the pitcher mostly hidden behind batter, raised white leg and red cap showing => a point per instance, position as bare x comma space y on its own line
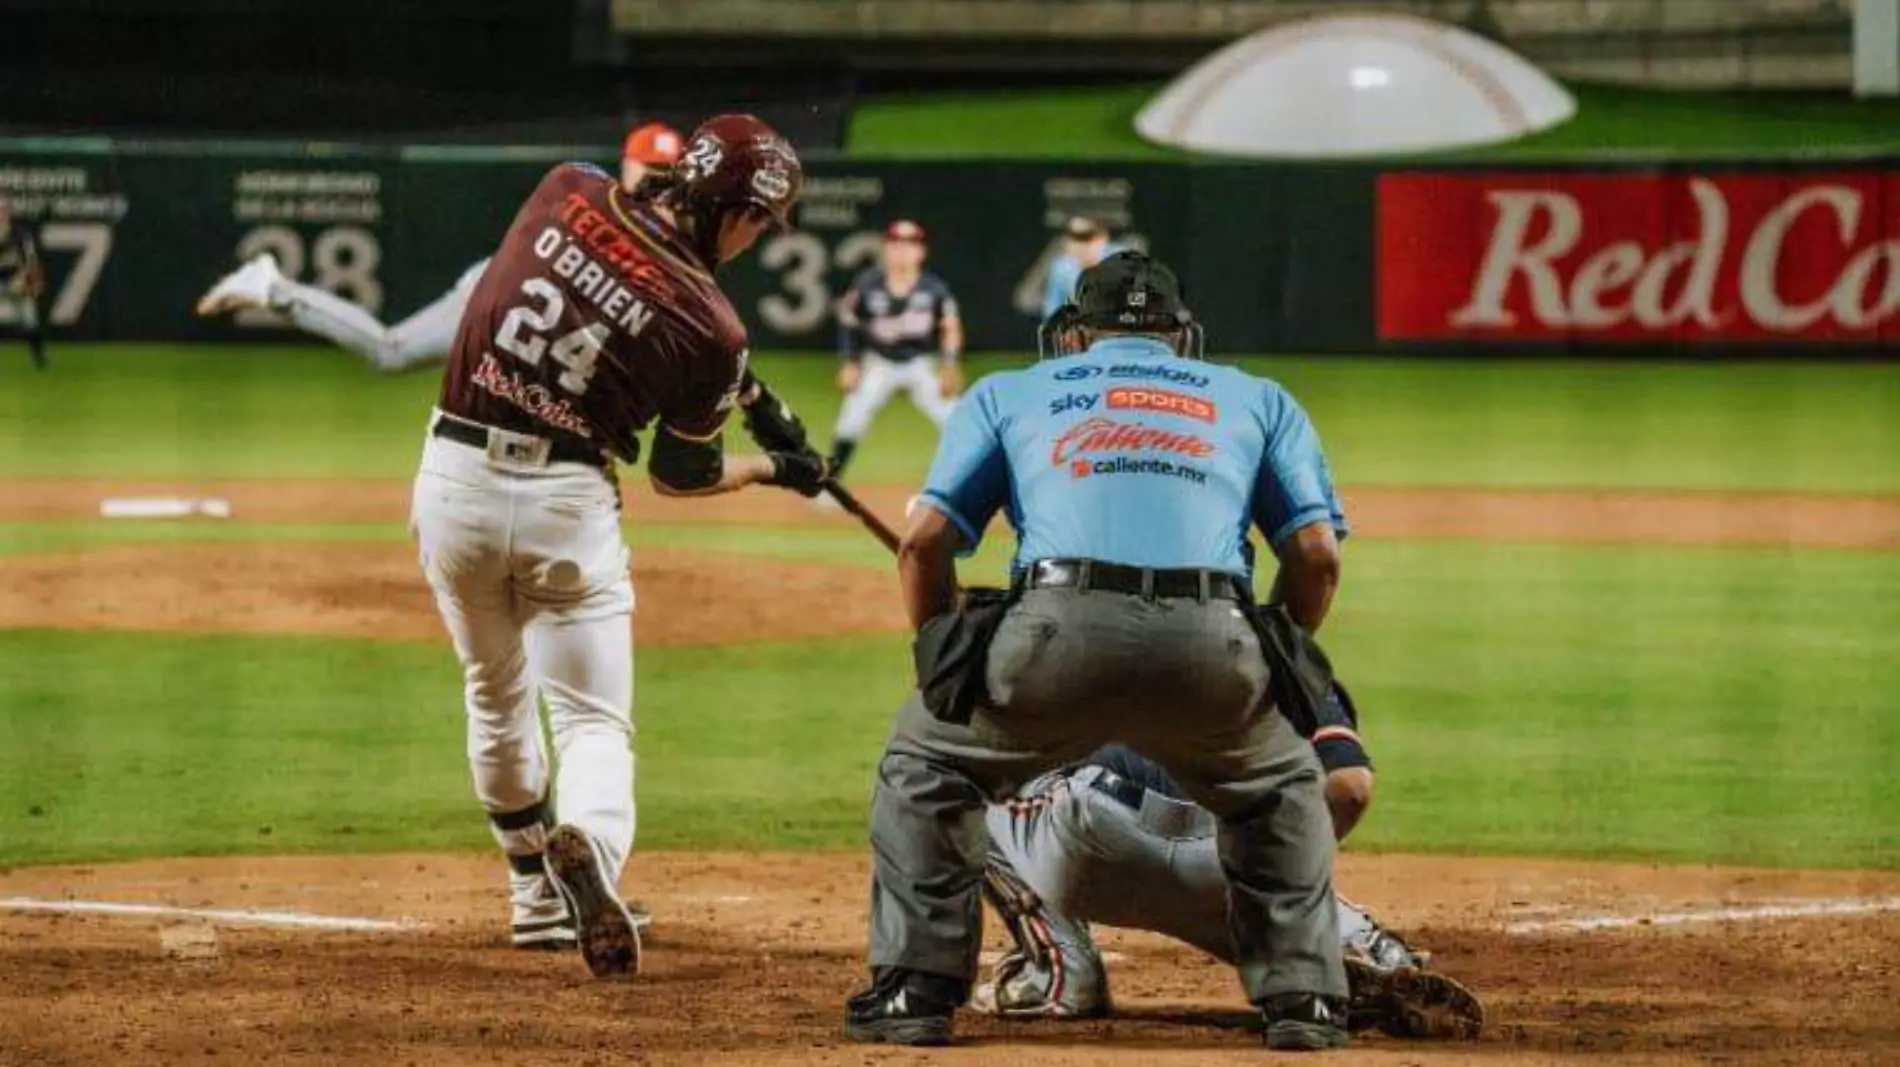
423, 337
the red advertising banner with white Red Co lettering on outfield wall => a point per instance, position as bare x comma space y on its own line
1717, 257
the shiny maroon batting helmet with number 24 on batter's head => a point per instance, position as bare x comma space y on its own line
738, 160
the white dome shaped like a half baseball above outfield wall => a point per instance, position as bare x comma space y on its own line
1354, 86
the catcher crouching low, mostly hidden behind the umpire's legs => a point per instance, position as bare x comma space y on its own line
1116, 842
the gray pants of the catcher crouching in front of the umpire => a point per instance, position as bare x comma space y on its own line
1093, 859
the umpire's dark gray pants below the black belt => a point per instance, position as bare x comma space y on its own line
1181, 683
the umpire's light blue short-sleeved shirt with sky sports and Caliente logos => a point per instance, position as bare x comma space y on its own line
1133, 457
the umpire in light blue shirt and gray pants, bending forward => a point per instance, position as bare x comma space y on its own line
1131, 477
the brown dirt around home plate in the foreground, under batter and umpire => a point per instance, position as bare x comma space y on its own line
753, 956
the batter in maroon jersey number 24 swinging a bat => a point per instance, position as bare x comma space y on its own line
598, 318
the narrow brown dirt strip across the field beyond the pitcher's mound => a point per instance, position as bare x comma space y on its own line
1489, 515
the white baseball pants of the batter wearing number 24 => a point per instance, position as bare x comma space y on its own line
531, 578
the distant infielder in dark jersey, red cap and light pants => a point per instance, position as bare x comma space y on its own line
898, 331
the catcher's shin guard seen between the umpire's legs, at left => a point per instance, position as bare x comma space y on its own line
1055, 969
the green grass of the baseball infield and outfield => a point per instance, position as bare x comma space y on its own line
1532, 700
